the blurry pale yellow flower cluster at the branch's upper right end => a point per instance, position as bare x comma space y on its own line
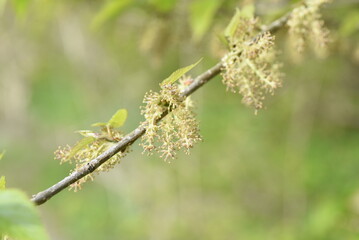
307, 28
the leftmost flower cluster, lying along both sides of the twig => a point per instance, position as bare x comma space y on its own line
87, 149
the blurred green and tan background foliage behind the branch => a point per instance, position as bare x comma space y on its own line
290, 172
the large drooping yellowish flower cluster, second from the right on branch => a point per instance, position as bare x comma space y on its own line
250, 67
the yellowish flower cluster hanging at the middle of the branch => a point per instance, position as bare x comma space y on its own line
178, 130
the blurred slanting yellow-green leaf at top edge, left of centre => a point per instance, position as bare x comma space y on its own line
111, 10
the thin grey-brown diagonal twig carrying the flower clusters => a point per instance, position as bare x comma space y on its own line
130, 138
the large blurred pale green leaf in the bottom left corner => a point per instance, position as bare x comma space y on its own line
18, 217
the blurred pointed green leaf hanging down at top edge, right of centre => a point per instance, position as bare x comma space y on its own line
201, 16
